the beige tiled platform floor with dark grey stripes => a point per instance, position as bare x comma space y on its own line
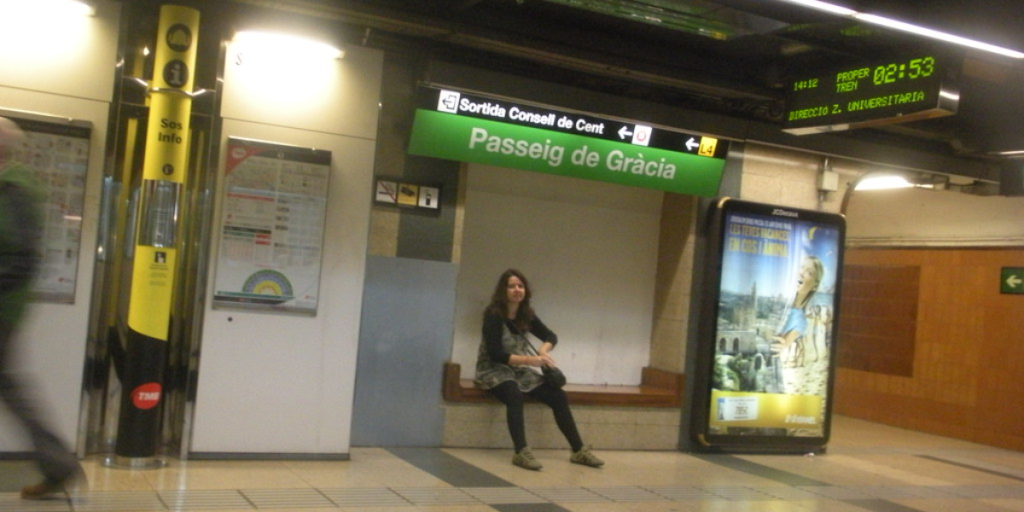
868, 467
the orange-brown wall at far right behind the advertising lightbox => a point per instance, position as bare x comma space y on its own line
968, 347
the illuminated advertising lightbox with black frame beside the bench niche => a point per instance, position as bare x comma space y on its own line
770, 348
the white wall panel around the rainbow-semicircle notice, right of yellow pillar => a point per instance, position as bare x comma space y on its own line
272, 383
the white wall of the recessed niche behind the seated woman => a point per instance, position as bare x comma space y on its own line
590, 252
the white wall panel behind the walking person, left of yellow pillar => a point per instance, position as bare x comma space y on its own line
61, 67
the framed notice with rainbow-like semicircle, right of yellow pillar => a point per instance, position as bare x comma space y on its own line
272, 233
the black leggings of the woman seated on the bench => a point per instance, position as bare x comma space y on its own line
556, 399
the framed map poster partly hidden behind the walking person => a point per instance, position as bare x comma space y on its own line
58, 151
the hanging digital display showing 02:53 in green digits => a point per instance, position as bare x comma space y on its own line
890, 92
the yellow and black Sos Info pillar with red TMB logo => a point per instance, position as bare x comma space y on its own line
164, 169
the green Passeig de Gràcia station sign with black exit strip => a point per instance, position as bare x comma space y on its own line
457, 126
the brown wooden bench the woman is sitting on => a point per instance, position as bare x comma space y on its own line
658, 390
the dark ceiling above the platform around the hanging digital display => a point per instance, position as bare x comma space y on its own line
730, 59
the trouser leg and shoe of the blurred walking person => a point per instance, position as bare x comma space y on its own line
56, 462
